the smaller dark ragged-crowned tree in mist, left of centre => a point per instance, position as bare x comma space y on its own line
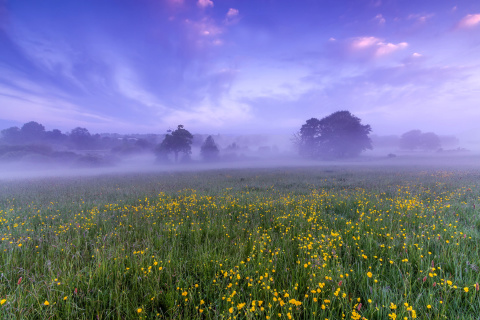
176, 142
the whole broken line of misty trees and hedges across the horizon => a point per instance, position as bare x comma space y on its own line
336, 136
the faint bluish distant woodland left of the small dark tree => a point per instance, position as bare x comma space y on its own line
32, 144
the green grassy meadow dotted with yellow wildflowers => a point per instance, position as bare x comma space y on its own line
291, 243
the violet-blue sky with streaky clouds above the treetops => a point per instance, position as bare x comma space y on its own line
240, 66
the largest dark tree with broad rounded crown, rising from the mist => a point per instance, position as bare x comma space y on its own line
339, 135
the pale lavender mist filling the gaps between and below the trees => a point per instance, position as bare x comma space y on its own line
250, 152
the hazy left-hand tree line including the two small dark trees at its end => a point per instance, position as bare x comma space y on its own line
33, 143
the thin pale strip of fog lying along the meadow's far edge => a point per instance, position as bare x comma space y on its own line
147, 163
